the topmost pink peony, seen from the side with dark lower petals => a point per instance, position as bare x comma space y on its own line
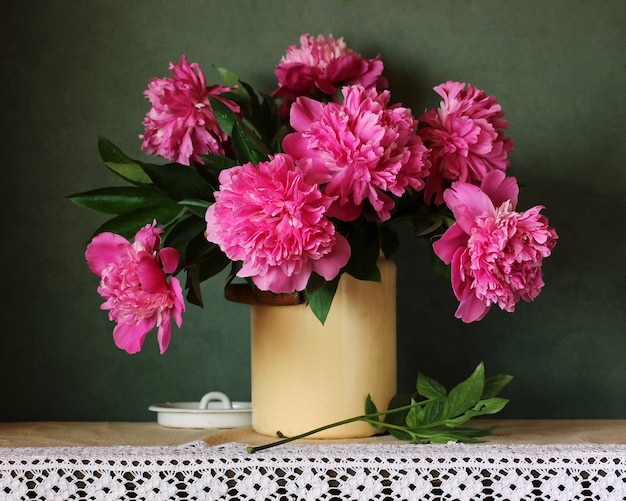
324, 64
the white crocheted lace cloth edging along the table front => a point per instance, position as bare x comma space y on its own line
197, 471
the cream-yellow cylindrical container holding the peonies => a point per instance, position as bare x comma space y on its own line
306, 375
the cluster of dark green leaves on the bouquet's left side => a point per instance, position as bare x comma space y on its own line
176, 195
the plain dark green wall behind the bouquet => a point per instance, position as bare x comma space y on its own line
73, 70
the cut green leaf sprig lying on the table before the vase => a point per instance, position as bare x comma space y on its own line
436, 418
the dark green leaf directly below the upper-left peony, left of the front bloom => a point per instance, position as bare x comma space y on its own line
179, 182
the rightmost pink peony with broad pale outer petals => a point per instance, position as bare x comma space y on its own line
496, 253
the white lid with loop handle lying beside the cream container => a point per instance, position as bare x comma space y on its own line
215, 410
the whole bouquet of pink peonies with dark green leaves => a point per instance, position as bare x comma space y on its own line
293, 188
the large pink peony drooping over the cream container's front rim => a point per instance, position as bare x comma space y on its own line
273, 218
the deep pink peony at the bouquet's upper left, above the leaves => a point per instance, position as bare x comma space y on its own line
181, 124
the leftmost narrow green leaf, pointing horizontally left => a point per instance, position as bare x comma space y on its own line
119, 199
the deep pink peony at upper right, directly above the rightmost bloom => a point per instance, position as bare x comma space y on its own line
465, 136
